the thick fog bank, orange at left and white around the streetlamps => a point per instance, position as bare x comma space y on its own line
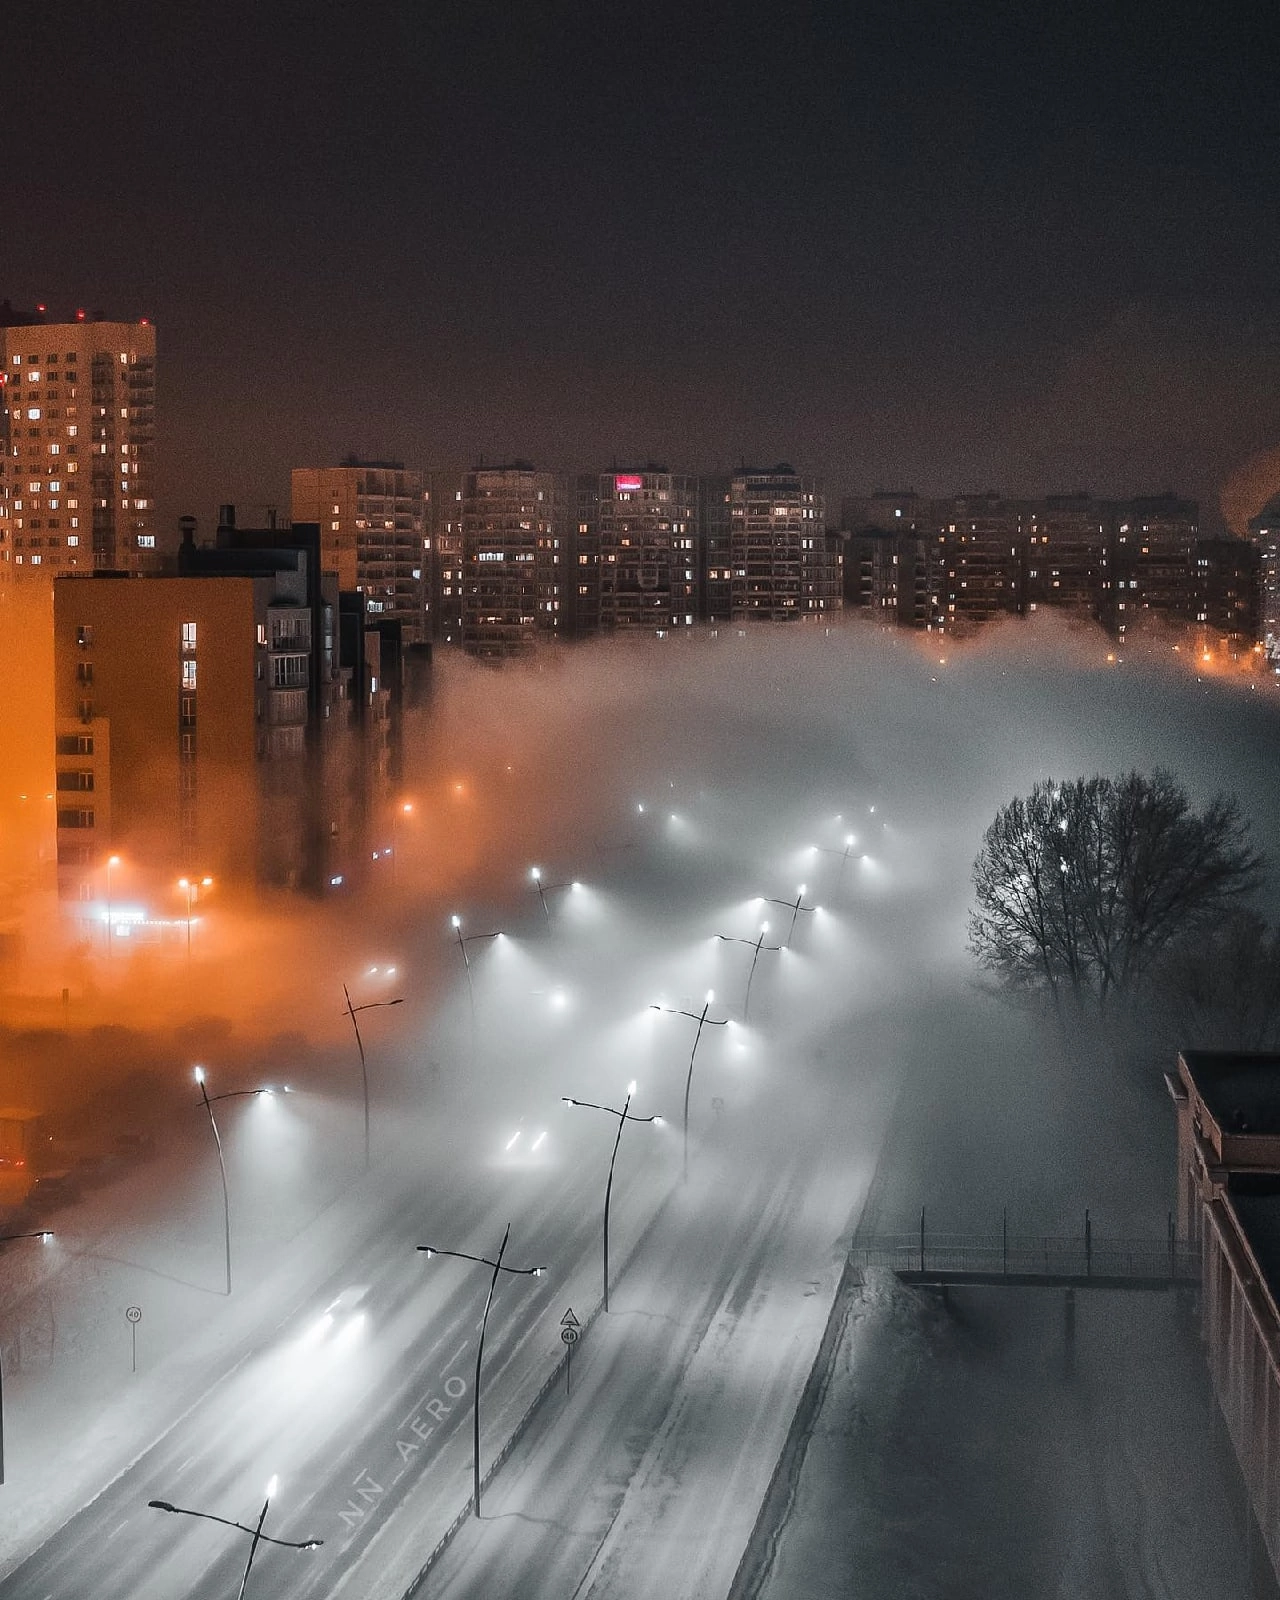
670, 791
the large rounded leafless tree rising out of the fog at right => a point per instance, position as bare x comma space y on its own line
1082, 886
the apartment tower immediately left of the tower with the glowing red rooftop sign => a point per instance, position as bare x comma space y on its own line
518, 551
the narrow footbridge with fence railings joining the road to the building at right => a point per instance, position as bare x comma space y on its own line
1033, 1262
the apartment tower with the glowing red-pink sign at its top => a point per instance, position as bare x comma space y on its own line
649, 534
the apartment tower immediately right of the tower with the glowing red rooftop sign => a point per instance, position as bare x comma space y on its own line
783, 567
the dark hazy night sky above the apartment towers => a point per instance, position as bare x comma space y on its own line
1034, 249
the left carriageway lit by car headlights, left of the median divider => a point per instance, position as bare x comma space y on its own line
380, 1404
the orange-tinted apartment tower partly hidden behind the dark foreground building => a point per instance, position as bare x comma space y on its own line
372, 530
